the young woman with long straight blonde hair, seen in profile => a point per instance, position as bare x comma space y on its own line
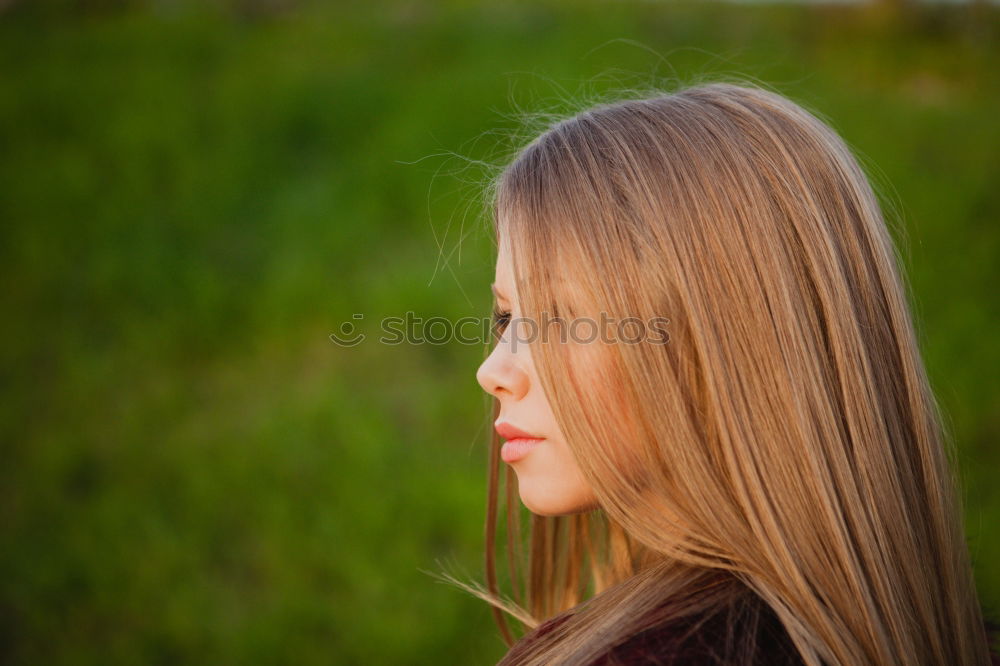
713, 400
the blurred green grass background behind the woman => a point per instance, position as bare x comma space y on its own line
192, 201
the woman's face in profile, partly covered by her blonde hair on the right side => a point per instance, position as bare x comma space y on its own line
549, 480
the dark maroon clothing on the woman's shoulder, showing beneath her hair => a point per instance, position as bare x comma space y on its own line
754, 637
